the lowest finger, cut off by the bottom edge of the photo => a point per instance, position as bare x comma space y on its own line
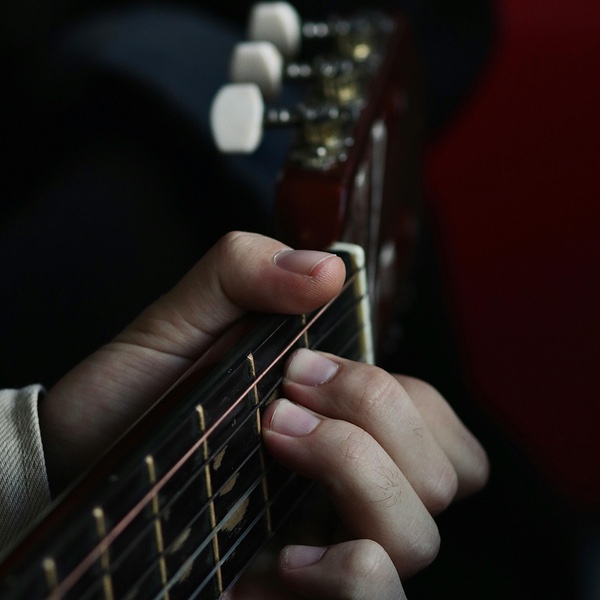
357, 570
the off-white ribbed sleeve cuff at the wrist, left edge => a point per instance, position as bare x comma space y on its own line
24, 490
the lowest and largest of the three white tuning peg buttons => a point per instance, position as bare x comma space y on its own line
236, 118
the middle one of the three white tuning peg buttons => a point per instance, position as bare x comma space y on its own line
260, 63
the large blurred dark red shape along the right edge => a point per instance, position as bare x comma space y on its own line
514, 191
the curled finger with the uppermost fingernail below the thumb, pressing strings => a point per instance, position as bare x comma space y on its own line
376, 402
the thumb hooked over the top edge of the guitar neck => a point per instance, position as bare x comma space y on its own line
95, 402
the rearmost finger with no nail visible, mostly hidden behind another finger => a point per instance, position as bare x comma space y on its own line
461, 447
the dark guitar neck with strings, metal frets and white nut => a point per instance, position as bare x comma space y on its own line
180, 506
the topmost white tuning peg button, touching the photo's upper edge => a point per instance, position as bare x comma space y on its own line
278, 23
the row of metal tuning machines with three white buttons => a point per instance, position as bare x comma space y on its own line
337, 83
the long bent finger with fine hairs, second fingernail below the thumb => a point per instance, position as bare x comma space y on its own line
371, 495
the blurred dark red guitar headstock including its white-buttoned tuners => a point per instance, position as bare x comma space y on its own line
352, 173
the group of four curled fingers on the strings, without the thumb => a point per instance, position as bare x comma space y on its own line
389, 452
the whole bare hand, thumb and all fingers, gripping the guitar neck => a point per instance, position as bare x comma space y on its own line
388, 450
